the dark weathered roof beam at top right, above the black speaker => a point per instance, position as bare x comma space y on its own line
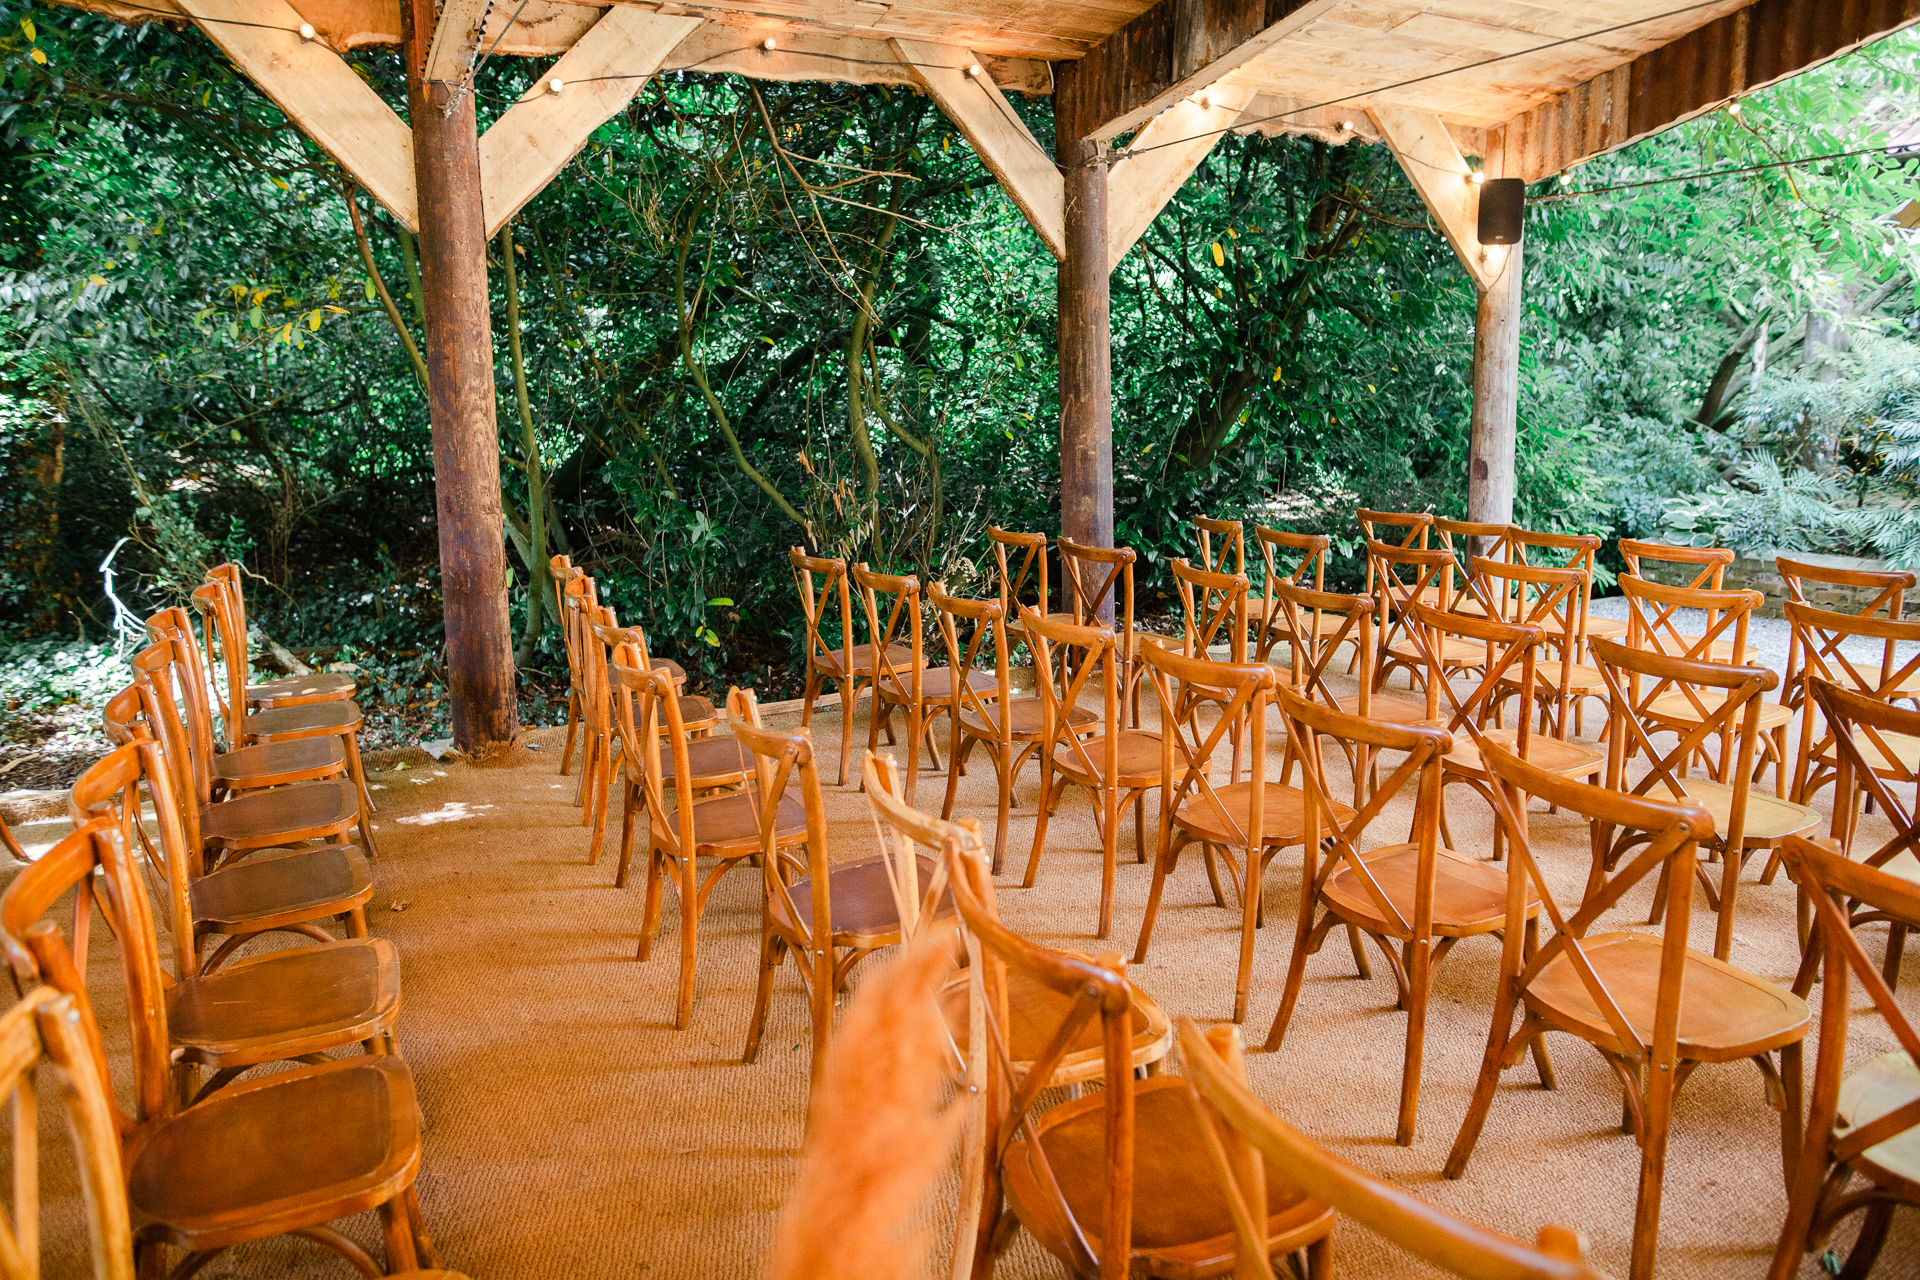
1731, 57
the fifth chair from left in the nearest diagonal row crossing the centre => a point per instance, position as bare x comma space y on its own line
1245, 826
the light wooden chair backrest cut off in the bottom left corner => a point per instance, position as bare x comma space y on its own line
45, 1030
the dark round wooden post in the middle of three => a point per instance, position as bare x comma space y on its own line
1086, 339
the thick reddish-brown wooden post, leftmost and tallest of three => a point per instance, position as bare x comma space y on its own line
460, 364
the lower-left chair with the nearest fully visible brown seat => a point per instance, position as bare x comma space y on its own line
322, 1143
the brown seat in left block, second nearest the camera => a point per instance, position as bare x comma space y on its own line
289, 1003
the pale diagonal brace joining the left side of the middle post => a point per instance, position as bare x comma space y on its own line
996, 131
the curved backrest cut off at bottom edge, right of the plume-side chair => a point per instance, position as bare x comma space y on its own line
1214, 1068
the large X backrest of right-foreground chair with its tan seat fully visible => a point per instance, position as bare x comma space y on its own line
1662, 838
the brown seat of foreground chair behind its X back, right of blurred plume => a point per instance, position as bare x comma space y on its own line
1182, 1225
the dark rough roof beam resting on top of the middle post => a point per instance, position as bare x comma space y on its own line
1172, 53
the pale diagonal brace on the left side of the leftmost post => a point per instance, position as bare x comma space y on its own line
320, 93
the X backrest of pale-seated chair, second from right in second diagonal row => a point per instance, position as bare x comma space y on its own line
1639, 678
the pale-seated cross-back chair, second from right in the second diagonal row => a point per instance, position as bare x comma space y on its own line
1727, 703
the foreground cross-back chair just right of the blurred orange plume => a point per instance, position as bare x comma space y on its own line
1111, 1181
